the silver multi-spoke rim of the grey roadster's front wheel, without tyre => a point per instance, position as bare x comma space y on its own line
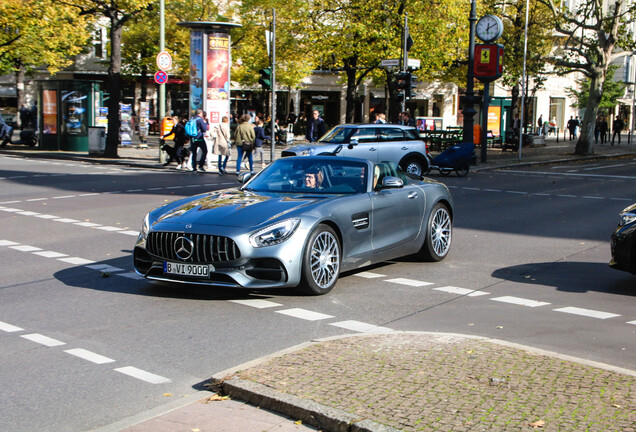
325, 259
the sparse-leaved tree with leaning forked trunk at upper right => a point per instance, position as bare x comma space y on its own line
592, 37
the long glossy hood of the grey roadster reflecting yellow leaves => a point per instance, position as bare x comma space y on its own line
235, 208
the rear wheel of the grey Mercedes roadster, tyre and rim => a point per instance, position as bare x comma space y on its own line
439, 233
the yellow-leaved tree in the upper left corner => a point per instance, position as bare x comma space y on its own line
36, 34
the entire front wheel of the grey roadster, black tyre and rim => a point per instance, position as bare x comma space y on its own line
321, 262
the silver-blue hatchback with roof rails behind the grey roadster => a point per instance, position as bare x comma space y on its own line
401, 145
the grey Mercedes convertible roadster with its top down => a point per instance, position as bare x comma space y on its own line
298, 223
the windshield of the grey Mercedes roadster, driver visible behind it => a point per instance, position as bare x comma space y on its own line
309, 175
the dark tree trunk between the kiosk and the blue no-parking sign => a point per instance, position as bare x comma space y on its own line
114, 87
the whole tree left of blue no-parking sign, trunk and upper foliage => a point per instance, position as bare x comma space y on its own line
118, 13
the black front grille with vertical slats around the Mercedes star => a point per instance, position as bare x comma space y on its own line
207, 248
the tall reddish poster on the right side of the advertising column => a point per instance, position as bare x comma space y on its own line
218, 77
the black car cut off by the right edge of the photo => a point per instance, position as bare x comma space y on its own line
623, 241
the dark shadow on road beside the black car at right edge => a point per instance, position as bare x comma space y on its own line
571, 276
